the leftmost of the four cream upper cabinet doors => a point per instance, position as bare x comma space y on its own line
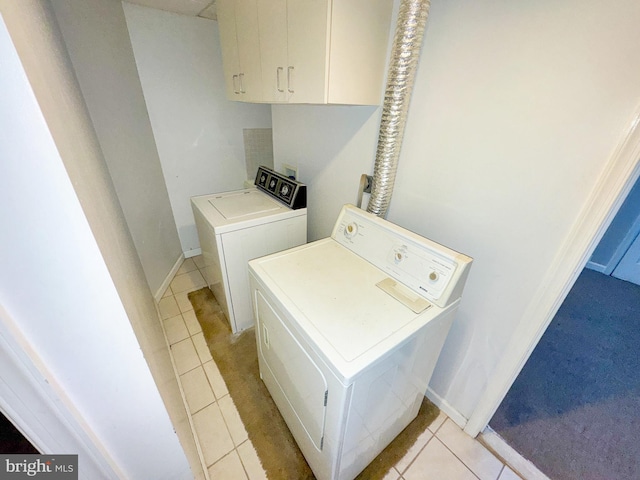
229, 45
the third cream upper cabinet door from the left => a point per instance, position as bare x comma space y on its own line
272, 21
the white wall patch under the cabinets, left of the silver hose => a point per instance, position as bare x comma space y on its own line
332, 146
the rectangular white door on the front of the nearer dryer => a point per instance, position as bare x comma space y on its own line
297, 385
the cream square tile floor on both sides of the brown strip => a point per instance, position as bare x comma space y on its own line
443, 451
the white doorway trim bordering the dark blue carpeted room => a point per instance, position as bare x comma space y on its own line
613, 185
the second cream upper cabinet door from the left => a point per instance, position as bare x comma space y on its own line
250, 78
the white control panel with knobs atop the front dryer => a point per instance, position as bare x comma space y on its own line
429, 269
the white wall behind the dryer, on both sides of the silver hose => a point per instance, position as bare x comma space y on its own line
517, 108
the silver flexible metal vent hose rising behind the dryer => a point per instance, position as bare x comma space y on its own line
412, 18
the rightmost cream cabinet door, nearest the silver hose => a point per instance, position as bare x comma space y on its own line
308, 23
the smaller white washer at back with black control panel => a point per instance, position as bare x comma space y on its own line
235, 227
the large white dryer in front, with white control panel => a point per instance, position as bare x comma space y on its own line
348, 330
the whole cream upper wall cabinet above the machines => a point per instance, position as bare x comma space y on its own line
308, 51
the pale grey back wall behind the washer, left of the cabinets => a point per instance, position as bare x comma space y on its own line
198, 131
